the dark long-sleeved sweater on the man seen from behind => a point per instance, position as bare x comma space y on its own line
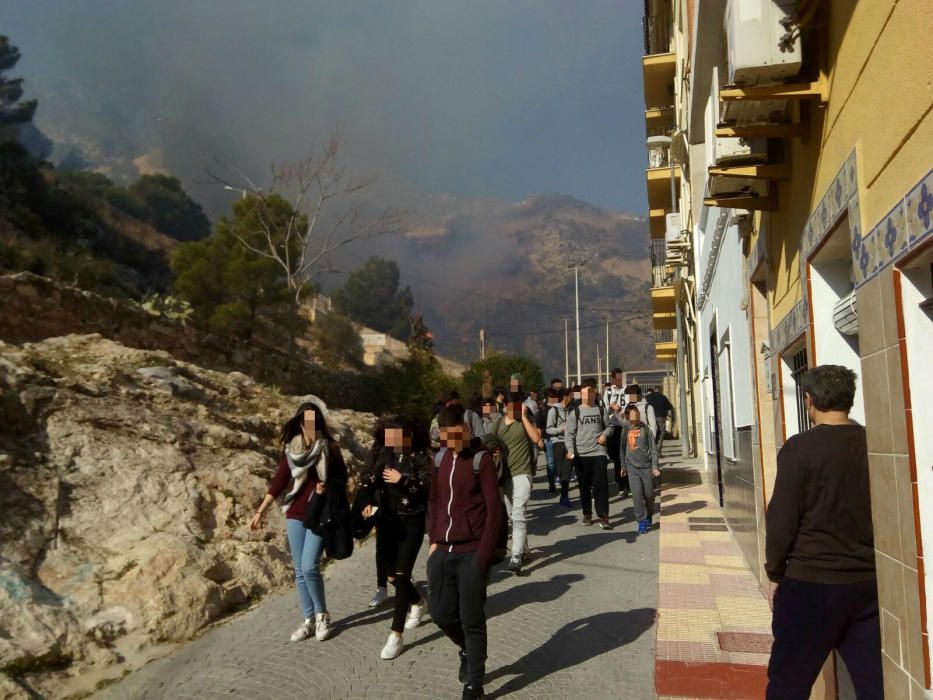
819, 525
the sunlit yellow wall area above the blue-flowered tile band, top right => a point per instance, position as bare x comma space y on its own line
880, 100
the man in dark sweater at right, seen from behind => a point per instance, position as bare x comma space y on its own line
820, 549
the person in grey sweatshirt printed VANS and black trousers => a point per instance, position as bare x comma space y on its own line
585, 439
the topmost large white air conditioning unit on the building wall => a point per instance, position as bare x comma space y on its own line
754, 30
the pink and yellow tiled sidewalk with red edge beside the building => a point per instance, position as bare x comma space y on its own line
714, 624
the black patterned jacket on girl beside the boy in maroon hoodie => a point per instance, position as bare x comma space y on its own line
409, 496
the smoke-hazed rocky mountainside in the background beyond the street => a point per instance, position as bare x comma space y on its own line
504, 267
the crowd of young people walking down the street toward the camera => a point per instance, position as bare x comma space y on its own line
465, 482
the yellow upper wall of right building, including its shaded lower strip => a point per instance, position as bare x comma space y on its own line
879, 58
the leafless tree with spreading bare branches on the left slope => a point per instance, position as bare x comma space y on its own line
326, 215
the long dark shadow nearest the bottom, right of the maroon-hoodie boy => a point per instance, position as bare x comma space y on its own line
574, 644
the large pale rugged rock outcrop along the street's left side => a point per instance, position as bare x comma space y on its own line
127, 481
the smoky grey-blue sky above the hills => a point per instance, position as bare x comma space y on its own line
502, 98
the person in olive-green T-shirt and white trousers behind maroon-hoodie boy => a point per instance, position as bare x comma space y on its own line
516, 435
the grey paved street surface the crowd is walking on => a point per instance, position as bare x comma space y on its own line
580, 621
